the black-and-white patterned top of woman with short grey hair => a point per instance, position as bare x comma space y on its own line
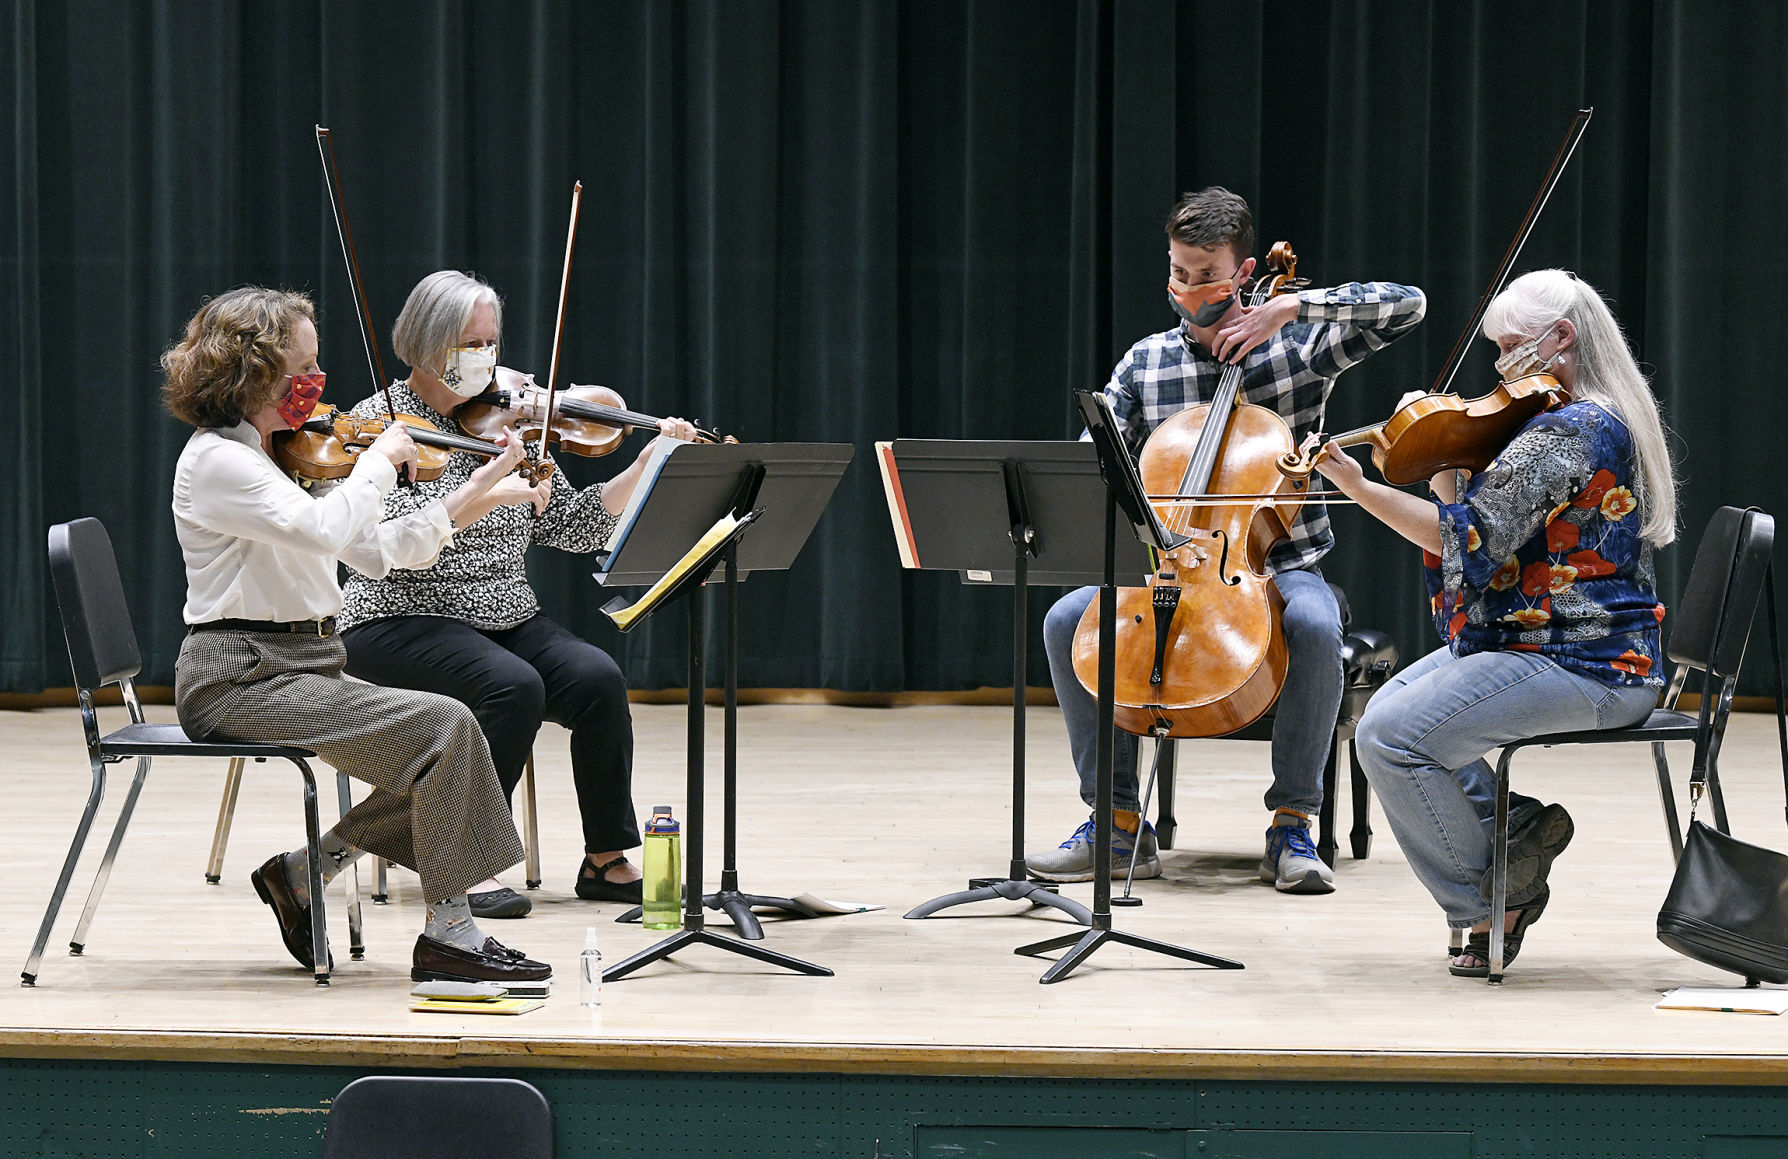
480, 579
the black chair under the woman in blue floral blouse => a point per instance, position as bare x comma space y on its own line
1708, 634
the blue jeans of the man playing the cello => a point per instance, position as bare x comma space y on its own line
1304, 720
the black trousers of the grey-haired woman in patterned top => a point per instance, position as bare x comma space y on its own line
512, 681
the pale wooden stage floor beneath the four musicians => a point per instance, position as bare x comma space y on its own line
893, 806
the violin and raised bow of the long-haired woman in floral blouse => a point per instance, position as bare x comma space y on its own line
1442, 432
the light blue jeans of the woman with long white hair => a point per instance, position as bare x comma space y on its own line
1424, 740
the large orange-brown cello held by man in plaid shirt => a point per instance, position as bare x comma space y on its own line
1201, 650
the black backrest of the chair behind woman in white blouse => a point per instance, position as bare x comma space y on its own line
90, 595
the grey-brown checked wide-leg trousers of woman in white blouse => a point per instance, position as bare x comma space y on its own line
435, 802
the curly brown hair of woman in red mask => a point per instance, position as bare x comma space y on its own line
233, 355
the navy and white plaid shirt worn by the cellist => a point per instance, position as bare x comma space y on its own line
1290, 375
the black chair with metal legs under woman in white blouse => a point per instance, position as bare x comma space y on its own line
103, 650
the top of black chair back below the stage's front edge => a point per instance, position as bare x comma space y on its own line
391, 1117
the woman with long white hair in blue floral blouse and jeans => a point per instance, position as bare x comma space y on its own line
1540, 575
